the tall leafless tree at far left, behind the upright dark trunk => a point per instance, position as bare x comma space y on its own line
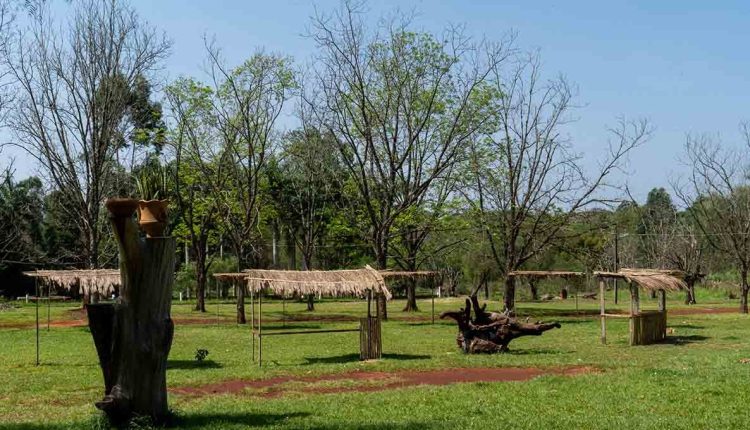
72, 90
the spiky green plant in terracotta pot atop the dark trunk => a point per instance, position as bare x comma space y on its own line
152, 187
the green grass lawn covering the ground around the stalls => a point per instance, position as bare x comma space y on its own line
696, 380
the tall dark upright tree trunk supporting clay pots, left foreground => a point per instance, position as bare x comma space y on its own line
133, 337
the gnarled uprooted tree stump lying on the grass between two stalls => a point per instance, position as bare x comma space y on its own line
490, 332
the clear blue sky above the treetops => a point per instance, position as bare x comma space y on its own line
682, 64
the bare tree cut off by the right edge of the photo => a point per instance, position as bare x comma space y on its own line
717, 194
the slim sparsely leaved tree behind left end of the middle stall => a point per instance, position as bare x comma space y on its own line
247, 101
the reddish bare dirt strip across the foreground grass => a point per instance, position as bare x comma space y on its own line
373, 381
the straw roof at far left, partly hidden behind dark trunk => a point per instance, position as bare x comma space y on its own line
102, 281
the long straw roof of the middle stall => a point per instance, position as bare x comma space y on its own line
356, 282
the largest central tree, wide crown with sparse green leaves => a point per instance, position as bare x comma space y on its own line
402, 106
